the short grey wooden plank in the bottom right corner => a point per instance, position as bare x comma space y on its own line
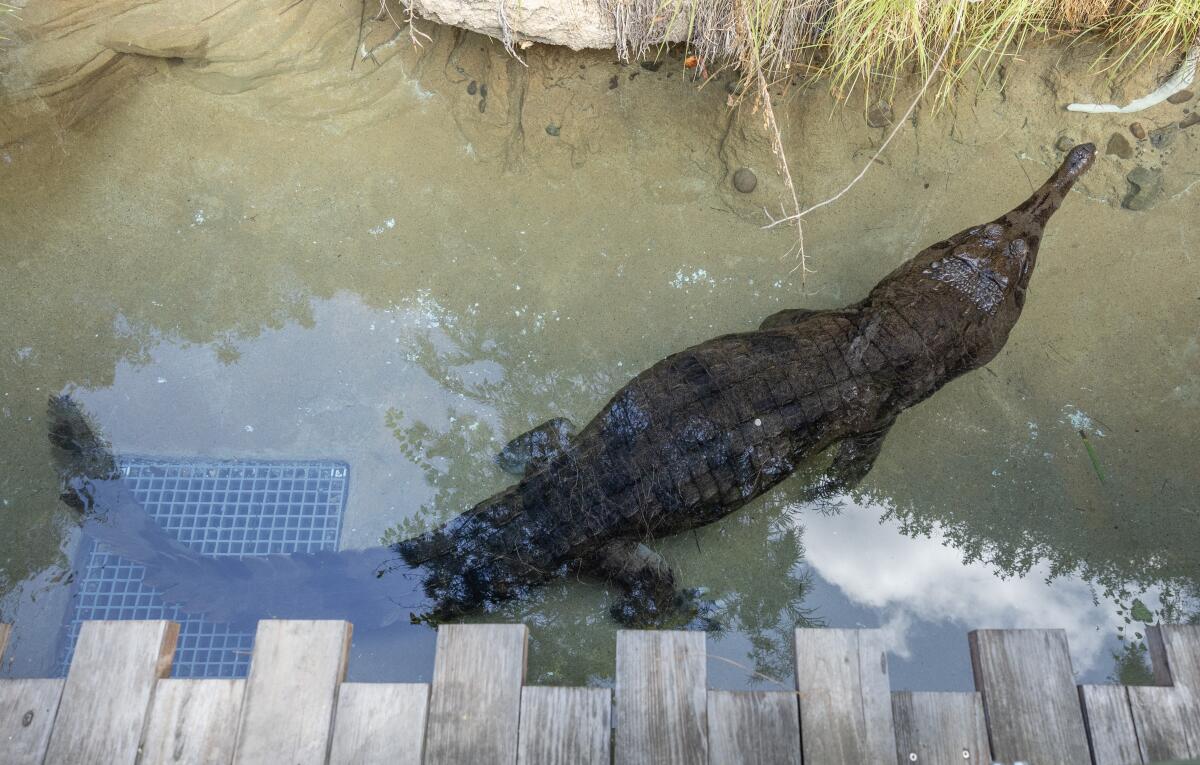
1168, 722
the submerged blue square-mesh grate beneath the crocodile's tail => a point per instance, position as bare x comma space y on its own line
218, 509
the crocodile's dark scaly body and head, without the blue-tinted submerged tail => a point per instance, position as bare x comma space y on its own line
707, 430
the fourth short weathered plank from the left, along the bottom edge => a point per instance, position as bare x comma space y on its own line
565, 726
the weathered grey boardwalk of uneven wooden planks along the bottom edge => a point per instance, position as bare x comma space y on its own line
118, 706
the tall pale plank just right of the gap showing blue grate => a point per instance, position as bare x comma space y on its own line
287, 714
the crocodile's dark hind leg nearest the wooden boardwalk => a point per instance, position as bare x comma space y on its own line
651, 598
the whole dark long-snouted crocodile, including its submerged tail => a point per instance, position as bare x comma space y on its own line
683, 444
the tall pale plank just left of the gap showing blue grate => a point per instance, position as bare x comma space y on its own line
110, 689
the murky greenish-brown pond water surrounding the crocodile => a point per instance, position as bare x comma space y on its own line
407, 282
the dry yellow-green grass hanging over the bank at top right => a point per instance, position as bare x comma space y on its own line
873, 44
